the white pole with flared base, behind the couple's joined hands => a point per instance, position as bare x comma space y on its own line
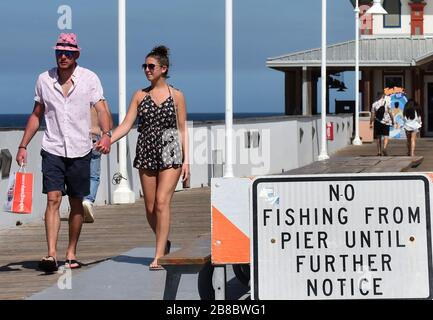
123, 192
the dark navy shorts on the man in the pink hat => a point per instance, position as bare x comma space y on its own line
71, 176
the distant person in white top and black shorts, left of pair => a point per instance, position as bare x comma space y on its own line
382, 118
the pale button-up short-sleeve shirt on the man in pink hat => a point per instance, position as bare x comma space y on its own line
68, 118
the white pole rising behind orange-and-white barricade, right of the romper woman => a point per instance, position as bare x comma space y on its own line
228, 168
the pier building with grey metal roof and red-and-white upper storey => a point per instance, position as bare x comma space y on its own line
395, 50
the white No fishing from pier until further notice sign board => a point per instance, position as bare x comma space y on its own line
341, 237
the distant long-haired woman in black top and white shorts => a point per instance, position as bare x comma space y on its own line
412, 124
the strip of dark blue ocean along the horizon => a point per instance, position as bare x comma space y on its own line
20, 120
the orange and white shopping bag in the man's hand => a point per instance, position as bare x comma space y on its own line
20, 192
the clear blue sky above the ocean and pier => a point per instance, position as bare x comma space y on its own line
192, 29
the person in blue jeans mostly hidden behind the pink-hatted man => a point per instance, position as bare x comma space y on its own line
95, 166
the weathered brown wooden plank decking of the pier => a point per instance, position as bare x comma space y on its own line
119, 228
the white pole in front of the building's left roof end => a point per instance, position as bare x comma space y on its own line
323, 150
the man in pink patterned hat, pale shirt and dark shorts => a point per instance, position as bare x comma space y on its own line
64, 96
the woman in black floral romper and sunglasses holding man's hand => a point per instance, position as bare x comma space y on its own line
162, 149
